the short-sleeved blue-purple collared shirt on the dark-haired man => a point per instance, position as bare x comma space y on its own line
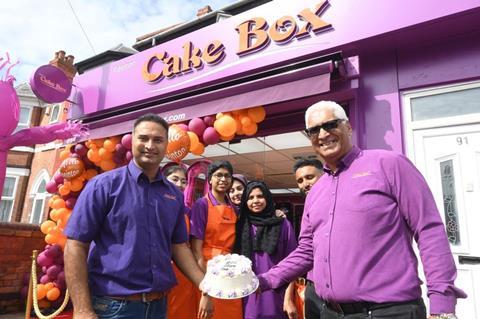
132, 224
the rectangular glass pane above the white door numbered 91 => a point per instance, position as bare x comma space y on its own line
445, 103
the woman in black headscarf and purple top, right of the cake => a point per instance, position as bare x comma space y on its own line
266, 239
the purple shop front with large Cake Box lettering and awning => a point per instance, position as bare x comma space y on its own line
366, 54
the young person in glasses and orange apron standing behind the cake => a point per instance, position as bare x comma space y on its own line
212, 229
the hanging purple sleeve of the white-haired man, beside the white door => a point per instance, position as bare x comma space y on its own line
418, 207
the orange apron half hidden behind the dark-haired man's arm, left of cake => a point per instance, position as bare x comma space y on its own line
182, 298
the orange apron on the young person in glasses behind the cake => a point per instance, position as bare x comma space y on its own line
219, 239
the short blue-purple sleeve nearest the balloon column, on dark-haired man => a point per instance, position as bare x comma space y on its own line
89, 211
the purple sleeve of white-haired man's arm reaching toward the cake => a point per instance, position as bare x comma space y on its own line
297, 263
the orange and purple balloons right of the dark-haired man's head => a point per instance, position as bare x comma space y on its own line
210, 130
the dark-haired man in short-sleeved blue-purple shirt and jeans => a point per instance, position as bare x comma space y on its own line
130, 224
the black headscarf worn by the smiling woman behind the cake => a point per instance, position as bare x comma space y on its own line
268, 225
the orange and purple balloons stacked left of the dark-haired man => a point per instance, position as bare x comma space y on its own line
80, 163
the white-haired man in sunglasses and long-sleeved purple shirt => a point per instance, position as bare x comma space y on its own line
357, 229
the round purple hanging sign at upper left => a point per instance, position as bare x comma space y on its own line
50, 84
